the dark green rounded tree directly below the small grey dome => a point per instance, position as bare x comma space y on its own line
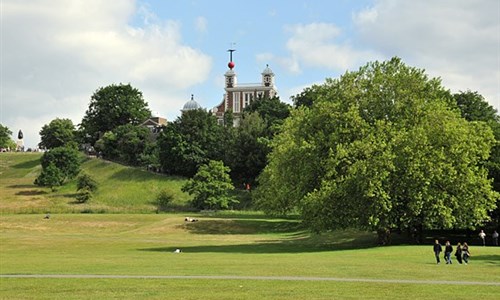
190, 141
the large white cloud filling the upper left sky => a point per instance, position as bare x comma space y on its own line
56, 54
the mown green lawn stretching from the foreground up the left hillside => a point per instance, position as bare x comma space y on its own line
251, 256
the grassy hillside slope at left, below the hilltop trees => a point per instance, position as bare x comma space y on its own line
121, 189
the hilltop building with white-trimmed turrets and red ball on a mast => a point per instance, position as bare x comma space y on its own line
238, 96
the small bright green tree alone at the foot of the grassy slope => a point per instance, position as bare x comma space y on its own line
211, 186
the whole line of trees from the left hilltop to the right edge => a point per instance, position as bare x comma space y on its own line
382, 148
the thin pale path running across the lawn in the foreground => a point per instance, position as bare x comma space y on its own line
289, 278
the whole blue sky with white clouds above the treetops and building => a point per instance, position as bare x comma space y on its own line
56, 53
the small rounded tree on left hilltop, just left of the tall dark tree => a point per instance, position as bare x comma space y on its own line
58, 133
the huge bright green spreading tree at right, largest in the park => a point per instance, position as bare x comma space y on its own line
381, 148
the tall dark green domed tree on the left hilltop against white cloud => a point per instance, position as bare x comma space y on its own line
110, 107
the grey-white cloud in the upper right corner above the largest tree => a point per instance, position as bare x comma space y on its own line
455, 40
